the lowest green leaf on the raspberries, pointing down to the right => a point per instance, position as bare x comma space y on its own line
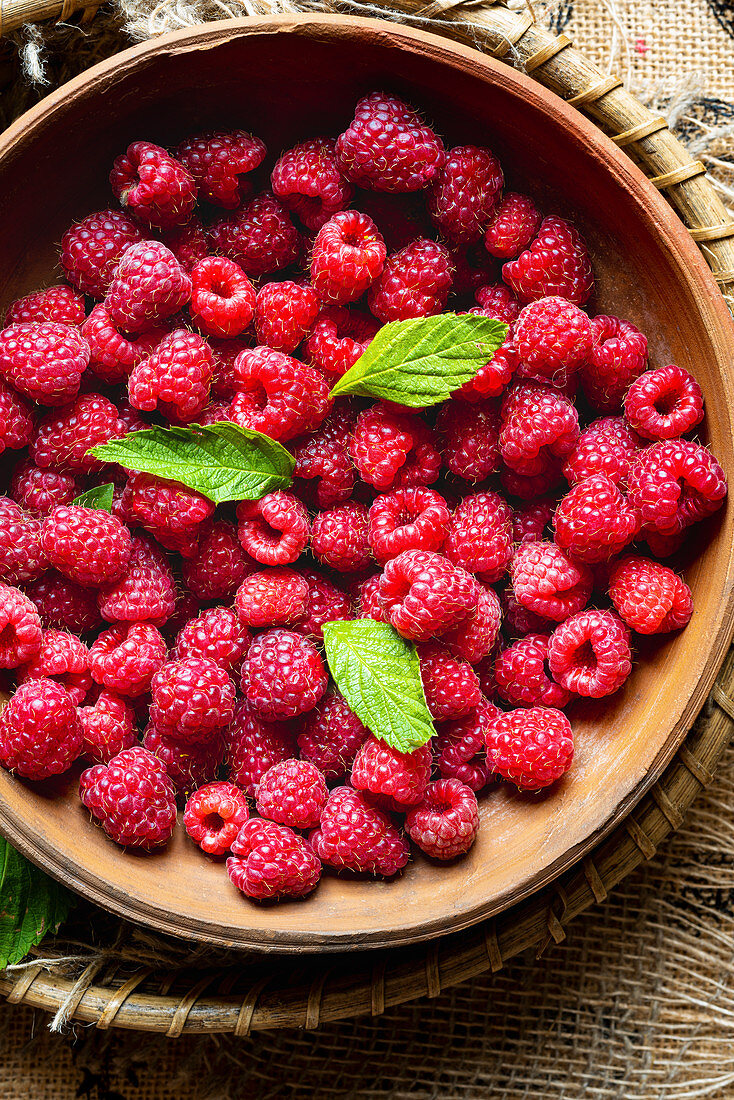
379, 675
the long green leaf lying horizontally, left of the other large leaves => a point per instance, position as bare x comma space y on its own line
222, 461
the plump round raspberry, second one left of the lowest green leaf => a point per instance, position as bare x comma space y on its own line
193, 698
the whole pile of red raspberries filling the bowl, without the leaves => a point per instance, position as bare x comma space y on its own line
514, 535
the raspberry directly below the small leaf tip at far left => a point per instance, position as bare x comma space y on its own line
87, 545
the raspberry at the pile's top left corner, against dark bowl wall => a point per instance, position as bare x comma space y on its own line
154, 185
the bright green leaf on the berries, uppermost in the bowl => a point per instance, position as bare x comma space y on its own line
423, 361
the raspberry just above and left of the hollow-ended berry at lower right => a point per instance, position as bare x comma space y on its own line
545, 581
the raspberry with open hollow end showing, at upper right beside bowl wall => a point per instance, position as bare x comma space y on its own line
664, 404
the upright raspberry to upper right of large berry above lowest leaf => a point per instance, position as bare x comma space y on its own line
480, 536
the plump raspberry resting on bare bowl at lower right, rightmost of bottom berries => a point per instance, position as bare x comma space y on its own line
532, 747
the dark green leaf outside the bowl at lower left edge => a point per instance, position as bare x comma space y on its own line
31, 906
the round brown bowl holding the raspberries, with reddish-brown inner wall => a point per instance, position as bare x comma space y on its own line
287, 79
